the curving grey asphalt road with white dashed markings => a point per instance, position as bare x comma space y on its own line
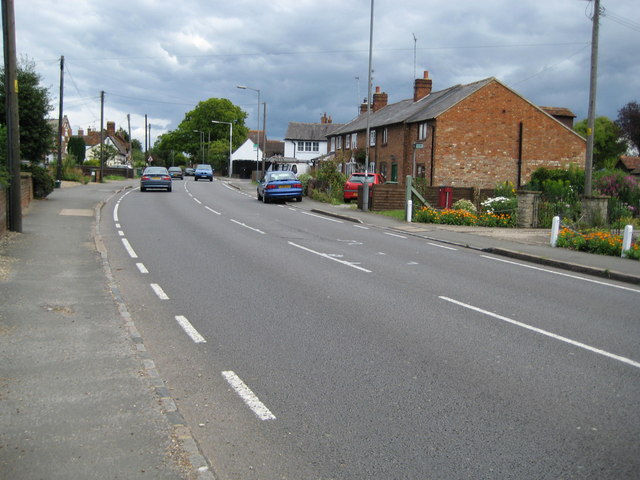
302, 346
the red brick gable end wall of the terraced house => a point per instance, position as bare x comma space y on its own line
477, 141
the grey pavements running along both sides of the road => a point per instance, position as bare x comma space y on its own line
79, 395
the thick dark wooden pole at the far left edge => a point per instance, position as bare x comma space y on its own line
13, 120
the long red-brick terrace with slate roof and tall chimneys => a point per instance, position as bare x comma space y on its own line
474, 135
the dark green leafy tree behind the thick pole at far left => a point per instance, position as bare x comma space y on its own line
34, 105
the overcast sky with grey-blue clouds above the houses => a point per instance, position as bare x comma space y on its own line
308, 57
